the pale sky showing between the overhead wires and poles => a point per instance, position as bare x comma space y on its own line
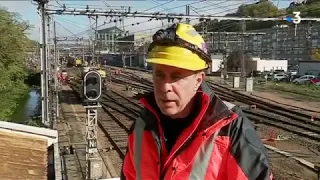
68, 25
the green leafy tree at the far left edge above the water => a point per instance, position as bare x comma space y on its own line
13, 44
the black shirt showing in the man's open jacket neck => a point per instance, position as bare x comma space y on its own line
172, 128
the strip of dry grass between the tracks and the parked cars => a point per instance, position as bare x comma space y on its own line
310, 91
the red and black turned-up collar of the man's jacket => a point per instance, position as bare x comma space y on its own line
216, 110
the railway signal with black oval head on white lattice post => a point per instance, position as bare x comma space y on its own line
92, 91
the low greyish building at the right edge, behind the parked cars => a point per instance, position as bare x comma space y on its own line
309, 67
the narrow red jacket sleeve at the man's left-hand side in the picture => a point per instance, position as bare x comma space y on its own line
128, 170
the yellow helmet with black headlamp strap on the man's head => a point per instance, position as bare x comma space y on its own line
180, 46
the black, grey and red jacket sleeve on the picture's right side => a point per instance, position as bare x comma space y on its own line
247, 158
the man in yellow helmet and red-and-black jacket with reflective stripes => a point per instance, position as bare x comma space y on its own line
185, 132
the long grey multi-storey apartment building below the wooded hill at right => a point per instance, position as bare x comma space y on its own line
280, 42
